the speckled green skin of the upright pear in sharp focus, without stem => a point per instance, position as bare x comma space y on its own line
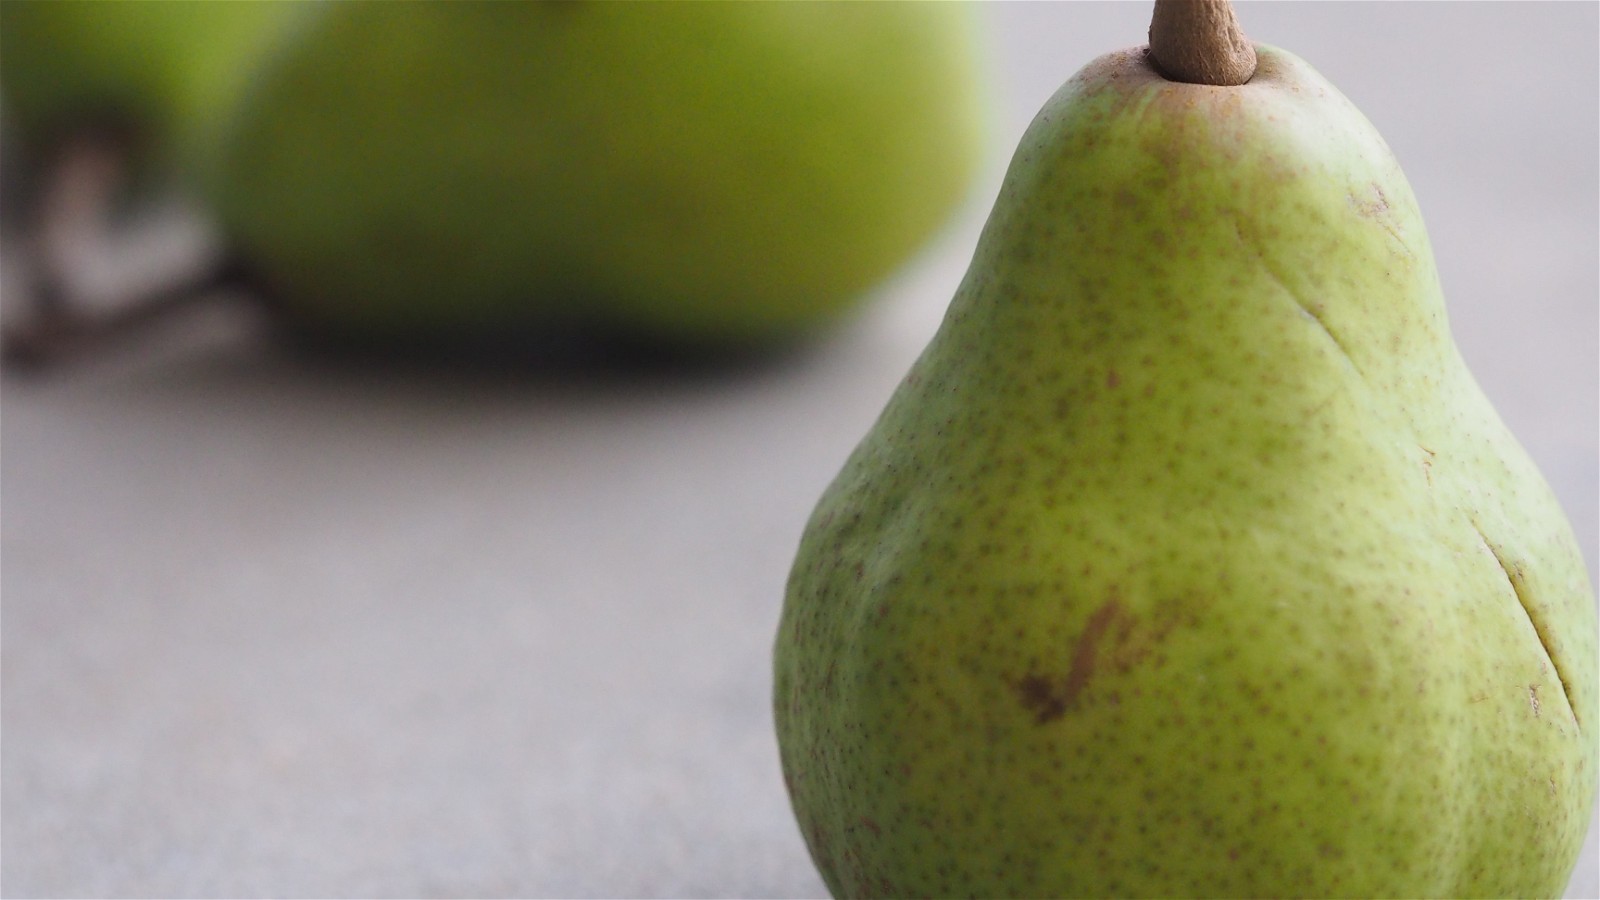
1190, 560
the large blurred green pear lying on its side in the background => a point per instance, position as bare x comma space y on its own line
718, 174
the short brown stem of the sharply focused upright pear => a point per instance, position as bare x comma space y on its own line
1199, 42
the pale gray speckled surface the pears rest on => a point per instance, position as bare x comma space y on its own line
279, 629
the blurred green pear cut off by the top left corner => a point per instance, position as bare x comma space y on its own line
161, 71
